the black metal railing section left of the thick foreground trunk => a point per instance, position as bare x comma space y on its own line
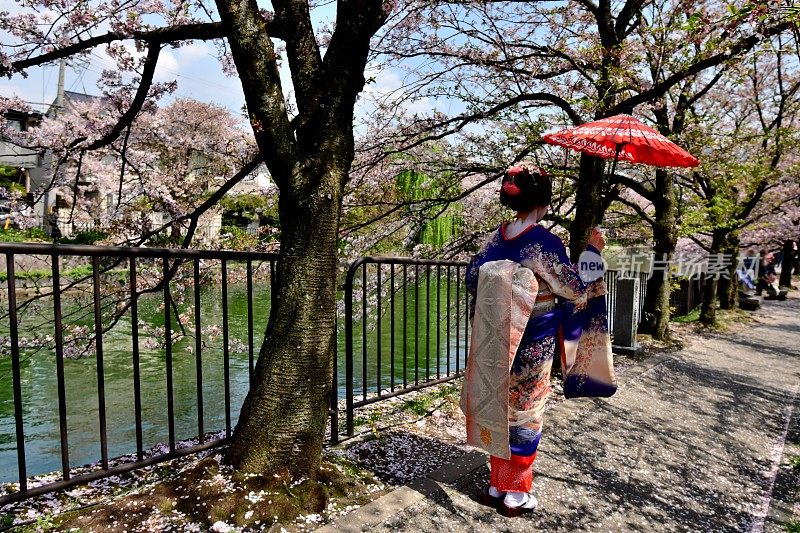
120, 279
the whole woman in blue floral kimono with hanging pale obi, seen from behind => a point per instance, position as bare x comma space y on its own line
523, 276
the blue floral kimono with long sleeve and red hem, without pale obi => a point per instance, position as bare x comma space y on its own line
568, 317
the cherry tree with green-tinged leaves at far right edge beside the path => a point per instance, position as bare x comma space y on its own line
748, 123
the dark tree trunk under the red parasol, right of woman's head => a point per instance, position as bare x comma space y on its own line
589, 191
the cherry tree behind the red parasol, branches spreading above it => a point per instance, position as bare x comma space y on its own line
557, 65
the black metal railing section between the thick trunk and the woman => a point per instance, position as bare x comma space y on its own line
425, 345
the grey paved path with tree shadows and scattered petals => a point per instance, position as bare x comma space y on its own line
696, 440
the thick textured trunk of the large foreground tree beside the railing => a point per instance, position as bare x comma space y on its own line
282, 422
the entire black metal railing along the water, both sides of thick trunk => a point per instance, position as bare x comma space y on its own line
405, 327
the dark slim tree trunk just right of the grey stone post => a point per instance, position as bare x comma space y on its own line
656, 312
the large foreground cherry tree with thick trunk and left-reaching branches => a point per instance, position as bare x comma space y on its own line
307, 145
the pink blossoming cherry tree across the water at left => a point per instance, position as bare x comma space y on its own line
167, 162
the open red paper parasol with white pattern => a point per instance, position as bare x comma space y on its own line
623, 137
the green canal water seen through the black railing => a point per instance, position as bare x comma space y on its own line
415, 310
